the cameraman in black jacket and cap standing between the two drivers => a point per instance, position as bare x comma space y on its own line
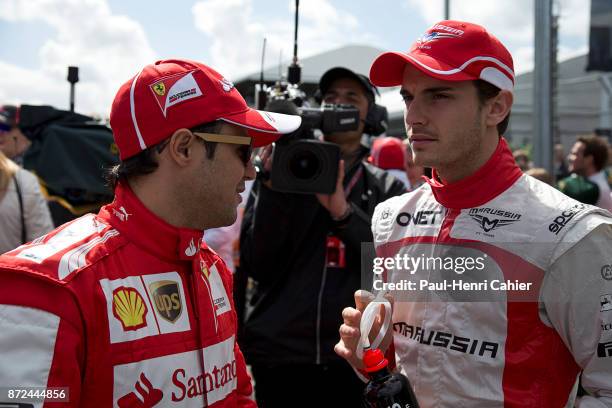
304, 253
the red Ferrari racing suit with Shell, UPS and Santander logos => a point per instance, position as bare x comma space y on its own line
124, 310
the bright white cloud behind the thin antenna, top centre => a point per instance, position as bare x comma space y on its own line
237, 33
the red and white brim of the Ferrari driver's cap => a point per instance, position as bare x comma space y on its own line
263, 126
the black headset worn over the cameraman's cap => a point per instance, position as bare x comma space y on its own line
375, 122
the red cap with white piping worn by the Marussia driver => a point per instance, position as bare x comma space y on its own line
450, 51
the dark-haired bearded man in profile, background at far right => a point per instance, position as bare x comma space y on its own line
588, 157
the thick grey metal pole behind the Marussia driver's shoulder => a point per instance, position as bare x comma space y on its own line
542, 80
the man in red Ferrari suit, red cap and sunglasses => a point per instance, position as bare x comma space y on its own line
130, 307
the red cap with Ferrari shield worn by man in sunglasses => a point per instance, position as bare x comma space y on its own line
174, 94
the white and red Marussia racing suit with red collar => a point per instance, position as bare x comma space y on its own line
485, 340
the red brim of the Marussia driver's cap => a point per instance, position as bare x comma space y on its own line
388, 68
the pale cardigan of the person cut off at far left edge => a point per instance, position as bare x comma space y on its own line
24, 214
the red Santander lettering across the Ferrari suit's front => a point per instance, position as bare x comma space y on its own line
206, 383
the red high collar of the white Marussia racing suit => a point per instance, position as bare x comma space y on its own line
492, 179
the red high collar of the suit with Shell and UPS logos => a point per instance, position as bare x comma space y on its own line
146, 230
